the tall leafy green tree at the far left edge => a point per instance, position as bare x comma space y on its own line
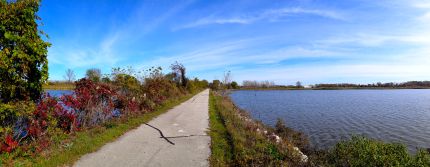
23, 52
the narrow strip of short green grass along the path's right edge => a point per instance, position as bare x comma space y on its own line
221, 146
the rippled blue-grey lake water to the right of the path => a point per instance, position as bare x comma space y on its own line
328, 116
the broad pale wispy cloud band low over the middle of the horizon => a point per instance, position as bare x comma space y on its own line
230, 54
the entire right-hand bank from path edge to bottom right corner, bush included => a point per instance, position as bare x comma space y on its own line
236, 142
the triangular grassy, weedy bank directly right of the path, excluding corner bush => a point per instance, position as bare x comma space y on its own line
239, 141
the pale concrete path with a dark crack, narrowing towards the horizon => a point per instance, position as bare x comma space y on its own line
176, 138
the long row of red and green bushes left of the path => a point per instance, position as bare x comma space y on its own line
28, 128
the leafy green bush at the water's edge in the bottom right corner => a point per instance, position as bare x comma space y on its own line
360, 151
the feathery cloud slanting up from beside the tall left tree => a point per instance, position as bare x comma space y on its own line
104, 53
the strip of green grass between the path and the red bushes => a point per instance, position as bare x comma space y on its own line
67, 151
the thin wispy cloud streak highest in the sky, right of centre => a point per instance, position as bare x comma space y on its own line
272, 15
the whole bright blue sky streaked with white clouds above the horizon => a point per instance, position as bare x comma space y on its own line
313, 41
